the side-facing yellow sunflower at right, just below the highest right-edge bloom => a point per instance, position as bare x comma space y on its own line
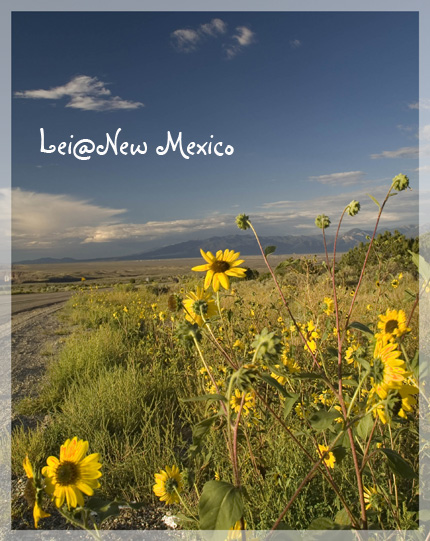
387, 371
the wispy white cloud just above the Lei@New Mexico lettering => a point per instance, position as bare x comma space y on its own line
84, 93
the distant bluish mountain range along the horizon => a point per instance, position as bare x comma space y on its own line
243, 243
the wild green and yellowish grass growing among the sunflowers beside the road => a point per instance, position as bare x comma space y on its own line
122, 374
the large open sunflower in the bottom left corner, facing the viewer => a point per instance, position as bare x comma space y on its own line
71, 475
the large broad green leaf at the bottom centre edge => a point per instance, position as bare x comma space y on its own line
220, 506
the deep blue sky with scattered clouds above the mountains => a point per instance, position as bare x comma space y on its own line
319, 107
